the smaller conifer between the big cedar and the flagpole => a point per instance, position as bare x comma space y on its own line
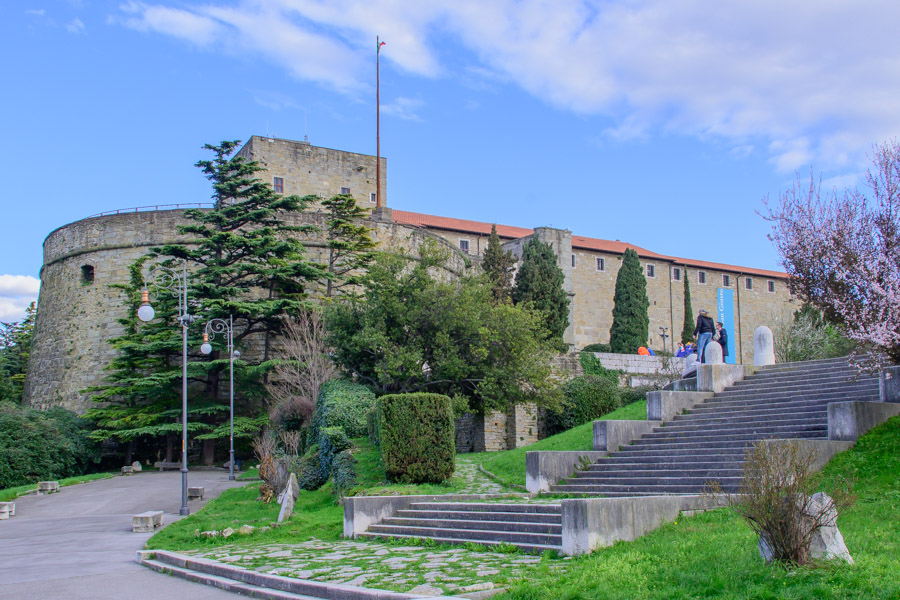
350, 245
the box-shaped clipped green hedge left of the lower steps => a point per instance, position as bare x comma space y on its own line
417, 437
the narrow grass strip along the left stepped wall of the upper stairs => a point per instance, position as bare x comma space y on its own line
509, 466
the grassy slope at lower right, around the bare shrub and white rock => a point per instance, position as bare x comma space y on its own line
715, 555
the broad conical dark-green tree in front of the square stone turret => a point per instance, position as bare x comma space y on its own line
540, 282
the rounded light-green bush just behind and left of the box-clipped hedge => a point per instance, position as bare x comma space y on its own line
344, 404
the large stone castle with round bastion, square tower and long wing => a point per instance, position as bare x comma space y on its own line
77, 310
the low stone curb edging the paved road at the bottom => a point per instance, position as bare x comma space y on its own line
212, 573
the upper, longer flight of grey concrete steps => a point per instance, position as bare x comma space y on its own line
708, 443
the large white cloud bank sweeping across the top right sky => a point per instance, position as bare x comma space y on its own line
808, 81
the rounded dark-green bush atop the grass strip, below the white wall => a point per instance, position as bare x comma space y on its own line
587, 397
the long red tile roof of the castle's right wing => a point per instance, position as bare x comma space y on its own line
506, 231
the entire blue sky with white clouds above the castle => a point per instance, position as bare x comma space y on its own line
664, 123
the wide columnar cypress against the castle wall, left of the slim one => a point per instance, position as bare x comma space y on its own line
631, 321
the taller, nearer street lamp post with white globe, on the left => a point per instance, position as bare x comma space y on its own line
166, 278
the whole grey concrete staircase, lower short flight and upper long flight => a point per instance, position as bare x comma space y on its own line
676, 460
